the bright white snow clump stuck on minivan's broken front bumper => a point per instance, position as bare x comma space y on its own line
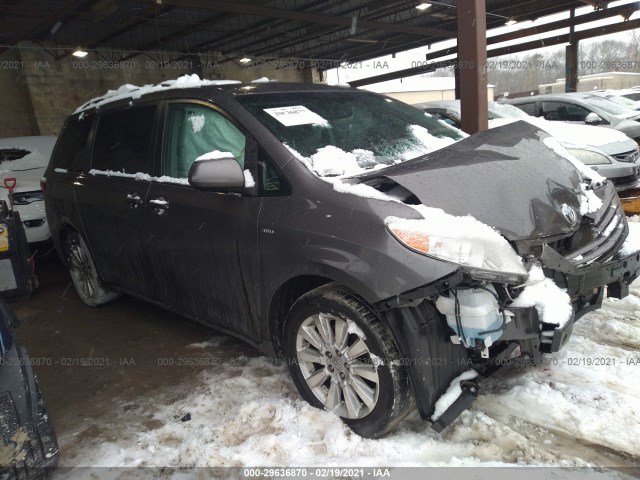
552, 303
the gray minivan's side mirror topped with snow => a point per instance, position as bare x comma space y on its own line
214, 174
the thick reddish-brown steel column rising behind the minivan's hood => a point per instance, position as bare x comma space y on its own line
472, 63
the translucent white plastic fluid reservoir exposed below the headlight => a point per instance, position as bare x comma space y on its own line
479, 312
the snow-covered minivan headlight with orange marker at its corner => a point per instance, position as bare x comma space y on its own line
483, 252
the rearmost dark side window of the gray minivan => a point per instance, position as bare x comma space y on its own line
72, 149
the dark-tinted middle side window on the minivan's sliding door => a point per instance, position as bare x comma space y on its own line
123, 140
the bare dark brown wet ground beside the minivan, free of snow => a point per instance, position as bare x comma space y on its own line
93, 363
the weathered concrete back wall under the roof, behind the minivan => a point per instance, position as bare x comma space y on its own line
44, 91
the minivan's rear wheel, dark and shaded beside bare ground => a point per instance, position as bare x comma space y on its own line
90, 287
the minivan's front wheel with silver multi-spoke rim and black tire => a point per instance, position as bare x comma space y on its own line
343, 358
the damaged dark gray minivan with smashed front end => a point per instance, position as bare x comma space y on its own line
373, 248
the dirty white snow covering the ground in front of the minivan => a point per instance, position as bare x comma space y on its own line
580, 407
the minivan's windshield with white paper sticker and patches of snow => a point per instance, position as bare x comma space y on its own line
344, 133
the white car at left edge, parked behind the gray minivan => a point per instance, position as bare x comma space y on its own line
25, 159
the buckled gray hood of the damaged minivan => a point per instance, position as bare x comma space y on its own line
505, 177
